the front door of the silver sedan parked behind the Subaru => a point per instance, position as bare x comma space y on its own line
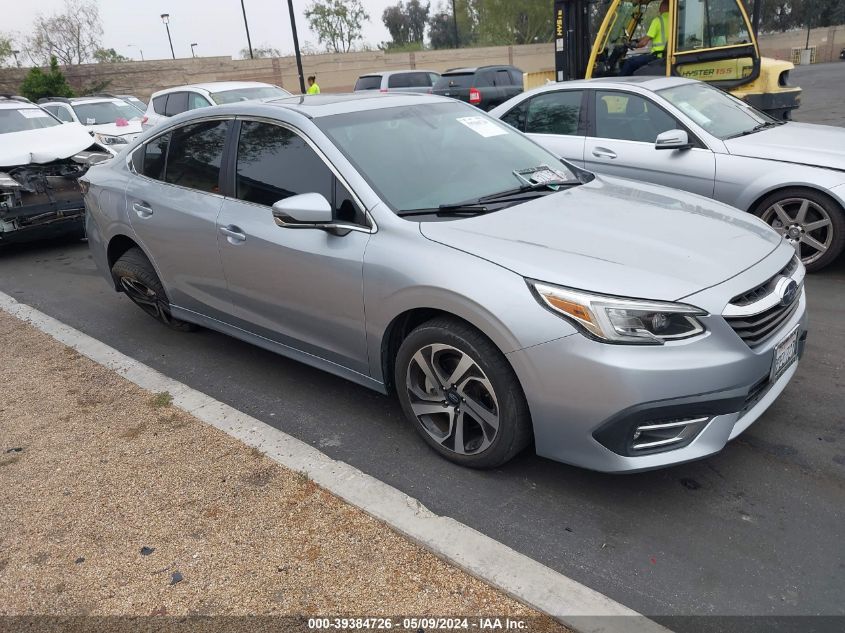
623, 128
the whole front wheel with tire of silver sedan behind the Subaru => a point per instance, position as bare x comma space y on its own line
819, 235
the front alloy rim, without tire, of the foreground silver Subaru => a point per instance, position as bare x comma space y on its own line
453, 399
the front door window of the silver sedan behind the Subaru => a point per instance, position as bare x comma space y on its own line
630, 117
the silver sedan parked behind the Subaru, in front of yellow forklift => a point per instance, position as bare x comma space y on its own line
688, 135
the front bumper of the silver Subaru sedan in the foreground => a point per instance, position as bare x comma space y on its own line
585, 395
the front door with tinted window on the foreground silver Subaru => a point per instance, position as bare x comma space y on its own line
299, 287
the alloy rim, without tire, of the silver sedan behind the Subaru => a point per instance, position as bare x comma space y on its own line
805, 223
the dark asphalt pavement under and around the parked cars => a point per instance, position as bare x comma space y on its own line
755, 530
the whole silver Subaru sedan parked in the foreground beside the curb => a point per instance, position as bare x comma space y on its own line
413, 244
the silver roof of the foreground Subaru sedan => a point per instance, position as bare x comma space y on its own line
316, 106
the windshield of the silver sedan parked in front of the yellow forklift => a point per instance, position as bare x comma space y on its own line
718, 113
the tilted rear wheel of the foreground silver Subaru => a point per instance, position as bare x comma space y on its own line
138, 280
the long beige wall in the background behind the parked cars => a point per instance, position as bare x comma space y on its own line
337, 72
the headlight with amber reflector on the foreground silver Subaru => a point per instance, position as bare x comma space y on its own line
617, 320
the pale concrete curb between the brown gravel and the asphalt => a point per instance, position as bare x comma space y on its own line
522, 578
